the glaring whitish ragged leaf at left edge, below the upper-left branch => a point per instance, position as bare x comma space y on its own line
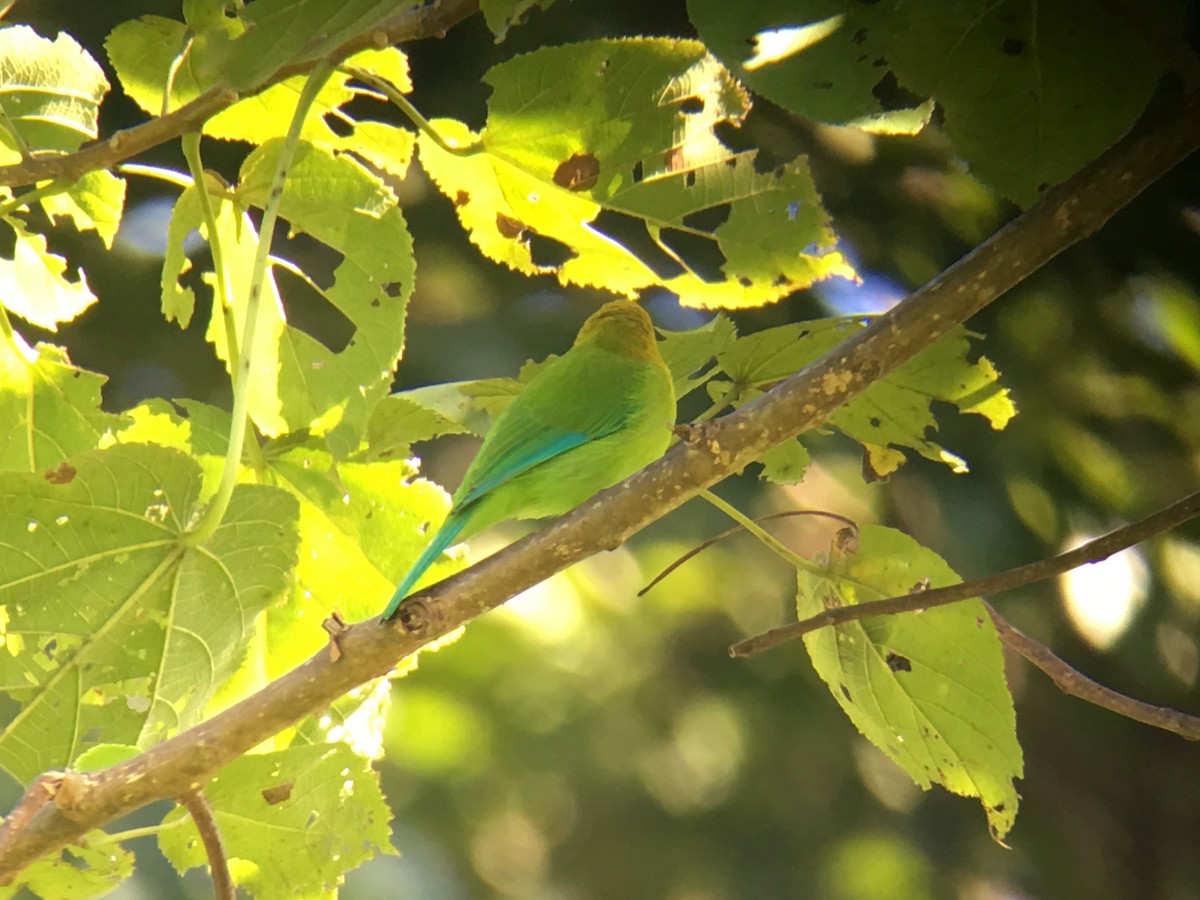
33, 284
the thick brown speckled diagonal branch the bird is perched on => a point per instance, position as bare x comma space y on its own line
1064, 217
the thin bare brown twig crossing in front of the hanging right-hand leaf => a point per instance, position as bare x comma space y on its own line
1091, 553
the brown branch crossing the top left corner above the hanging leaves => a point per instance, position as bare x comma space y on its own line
416, 25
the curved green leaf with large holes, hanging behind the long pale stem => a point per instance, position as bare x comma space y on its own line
339, 205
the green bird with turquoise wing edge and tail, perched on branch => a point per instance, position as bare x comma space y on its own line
591, 418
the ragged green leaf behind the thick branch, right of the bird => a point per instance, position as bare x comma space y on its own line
893, 412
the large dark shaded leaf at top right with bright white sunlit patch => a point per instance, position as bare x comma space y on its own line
1030, 92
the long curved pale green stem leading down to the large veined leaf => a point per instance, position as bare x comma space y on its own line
220, 503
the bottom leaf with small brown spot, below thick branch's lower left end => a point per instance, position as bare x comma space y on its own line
301, 818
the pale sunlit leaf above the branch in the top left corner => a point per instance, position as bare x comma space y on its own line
50, 92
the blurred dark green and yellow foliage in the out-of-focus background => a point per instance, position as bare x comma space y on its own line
585, 743
